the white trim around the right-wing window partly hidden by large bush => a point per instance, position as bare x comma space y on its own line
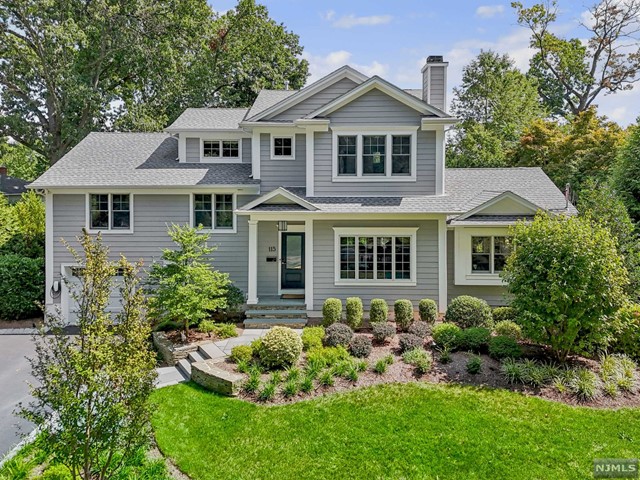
462, 252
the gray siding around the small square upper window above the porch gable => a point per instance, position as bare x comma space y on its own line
285, 172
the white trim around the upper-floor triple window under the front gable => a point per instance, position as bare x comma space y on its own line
389, 132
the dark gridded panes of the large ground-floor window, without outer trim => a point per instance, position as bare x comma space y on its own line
375, 258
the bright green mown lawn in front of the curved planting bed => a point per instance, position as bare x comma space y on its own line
390, 431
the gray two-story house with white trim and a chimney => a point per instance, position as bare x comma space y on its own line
335, 190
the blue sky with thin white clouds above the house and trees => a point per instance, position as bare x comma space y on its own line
393, 38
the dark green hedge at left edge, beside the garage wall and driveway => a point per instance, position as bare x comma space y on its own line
21, 285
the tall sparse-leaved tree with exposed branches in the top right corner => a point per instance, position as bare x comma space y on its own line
571, 73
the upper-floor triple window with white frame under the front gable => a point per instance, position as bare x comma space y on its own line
374, 157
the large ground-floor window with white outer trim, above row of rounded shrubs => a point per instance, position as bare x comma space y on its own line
376, 256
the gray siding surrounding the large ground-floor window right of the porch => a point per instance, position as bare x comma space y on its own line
324, 268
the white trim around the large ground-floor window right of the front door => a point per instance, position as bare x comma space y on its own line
375, 232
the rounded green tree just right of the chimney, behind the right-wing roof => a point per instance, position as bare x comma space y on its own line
495, 102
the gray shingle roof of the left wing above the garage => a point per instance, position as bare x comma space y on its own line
136, 160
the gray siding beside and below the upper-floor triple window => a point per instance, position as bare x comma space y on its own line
426, 176
